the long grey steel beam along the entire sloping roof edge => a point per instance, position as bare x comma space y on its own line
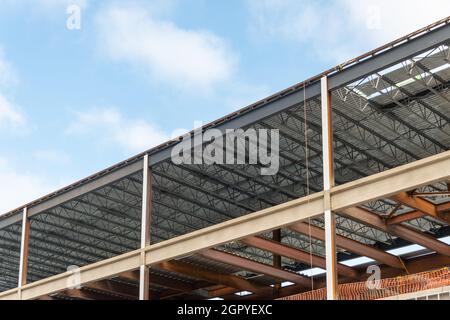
358, 68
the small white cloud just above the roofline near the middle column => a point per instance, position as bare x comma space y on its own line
110, 126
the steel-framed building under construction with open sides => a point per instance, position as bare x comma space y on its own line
363, 180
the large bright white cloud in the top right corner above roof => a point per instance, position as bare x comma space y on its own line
339, 30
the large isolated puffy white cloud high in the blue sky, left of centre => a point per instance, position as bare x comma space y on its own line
186, 59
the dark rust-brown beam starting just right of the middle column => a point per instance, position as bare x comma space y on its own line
216, 277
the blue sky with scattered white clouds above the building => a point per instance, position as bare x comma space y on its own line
138, 72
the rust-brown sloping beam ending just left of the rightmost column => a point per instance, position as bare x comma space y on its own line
250, 265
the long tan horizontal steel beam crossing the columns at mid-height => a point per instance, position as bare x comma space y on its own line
382, 185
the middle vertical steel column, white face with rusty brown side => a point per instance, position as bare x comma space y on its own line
144, 272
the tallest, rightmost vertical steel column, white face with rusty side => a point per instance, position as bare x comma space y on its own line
328, 183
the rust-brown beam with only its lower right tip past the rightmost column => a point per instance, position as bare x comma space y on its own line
297, 255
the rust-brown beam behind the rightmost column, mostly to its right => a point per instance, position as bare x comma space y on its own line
350, 245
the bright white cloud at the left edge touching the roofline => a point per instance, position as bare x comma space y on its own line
18, 188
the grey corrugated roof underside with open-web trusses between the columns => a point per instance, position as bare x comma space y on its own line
390, 118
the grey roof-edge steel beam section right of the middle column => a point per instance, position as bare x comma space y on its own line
359, 68
